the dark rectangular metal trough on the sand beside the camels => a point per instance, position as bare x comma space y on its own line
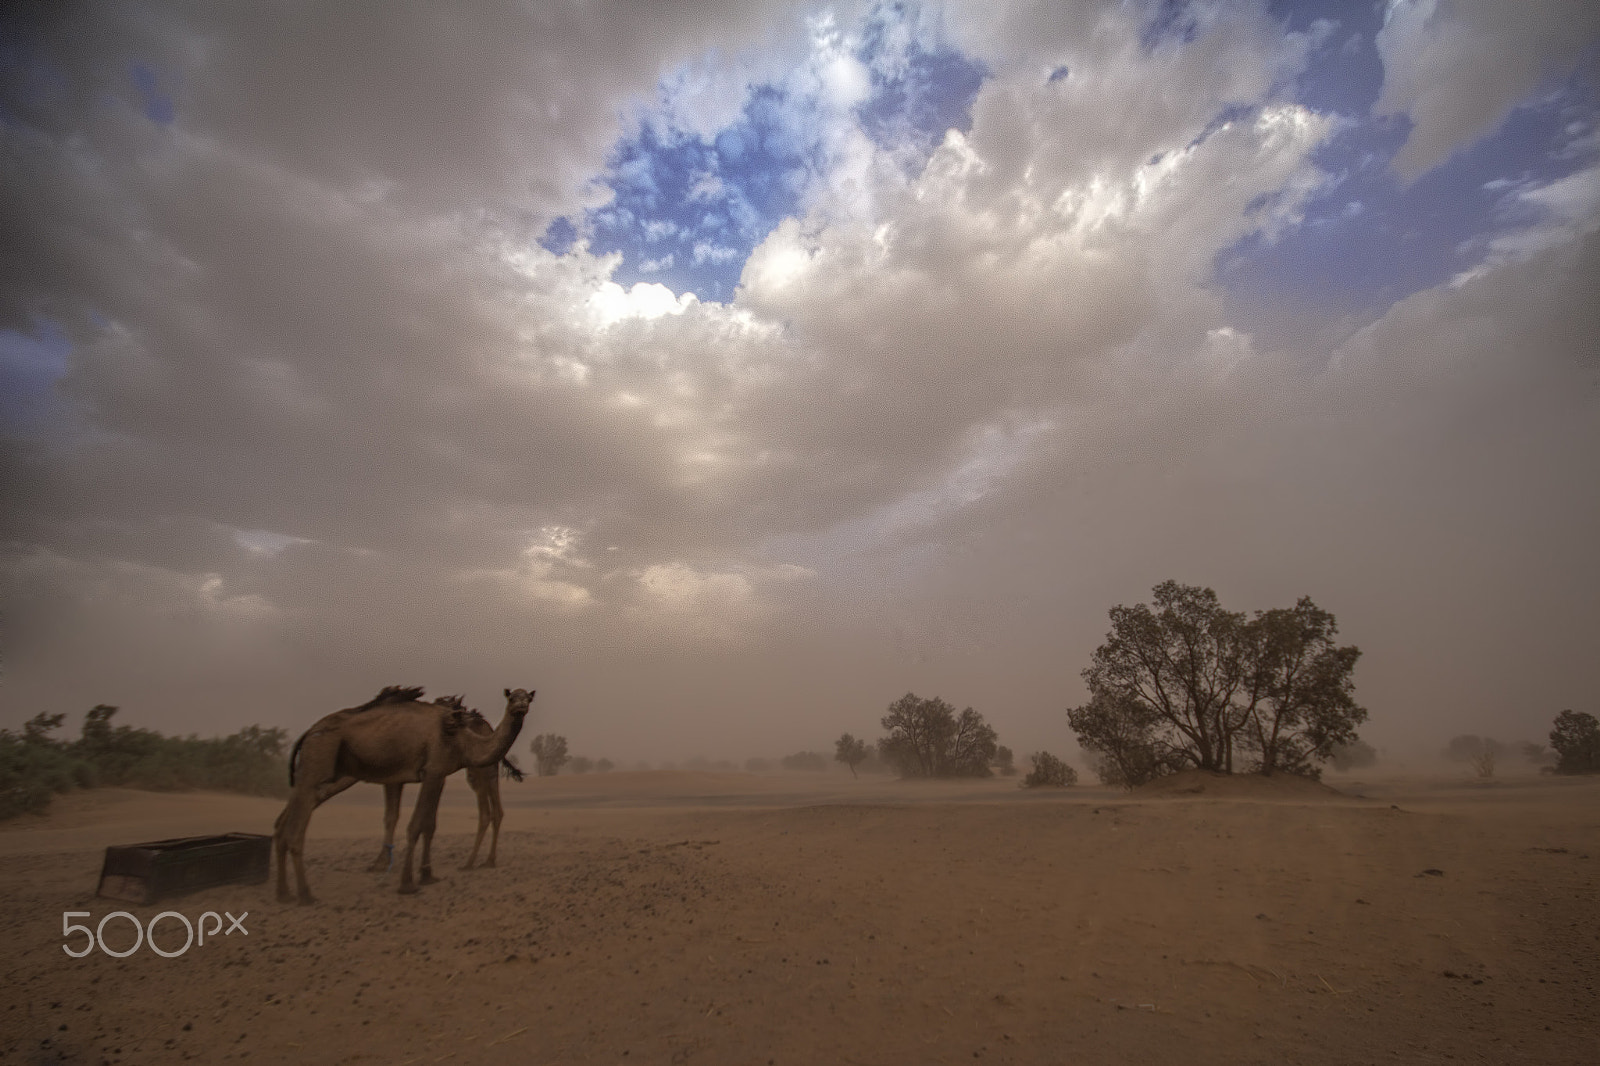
145, 873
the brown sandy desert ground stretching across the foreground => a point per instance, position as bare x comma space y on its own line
690, 918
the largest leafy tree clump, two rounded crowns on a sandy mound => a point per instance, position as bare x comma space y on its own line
1183, 683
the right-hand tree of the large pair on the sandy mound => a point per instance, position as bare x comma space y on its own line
1298, 691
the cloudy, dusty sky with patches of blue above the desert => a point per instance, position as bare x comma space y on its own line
726, 371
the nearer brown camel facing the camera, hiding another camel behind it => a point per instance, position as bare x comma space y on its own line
390, 740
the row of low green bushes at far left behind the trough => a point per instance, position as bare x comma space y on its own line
36, 764
